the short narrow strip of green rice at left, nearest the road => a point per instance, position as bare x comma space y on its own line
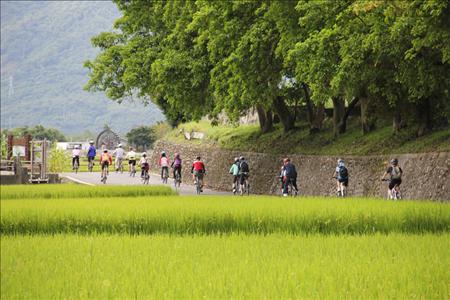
57, 191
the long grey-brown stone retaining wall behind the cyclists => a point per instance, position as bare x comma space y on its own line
426, 176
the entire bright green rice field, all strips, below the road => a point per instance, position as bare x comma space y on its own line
79, 242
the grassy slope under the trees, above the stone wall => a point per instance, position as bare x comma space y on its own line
353, 142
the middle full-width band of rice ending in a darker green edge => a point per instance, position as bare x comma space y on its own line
222, 215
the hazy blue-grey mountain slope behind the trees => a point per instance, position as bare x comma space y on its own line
43, 47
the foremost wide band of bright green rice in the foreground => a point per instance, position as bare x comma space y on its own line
225, 267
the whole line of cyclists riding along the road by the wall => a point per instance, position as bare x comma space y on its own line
239, 170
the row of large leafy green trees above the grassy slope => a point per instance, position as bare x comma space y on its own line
197, 58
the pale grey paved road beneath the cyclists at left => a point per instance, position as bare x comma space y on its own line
125, 179
